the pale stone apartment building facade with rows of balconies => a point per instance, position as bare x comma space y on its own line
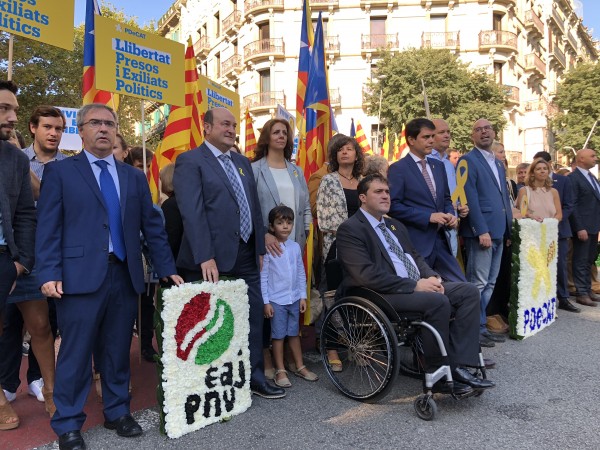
251, 46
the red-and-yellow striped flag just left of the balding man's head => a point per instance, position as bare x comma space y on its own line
184, 130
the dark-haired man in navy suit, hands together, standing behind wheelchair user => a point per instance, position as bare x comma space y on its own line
421, 200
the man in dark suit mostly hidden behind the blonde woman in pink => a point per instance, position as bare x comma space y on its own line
565, 191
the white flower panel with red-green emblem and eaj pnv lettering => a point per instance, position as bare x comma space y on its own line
205, 355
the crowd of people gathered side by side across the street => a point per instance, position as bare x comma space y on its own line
99, 243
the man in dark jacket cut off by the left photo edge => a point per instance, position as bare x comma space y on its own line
17, 217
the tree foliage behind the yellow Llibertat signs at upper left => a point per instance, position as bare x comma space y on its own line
48, 75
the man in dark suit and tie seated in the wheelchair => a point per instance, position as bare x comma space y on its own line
376, 253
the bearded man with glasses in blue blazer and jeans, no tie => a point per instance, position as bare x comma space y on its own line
488, 222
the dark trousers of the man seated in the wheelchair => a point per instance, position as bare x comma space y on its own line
461, 336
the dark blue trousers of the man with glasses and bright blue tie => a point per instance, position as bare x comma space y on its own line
105, 318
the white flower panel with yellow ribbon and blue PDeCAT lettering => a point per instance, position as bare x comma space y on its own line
536, 297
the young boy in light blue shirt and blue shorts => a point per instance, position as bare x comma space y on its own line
283, 284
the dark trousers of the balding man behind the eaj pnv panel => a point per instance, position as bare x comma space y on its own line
246, 268
